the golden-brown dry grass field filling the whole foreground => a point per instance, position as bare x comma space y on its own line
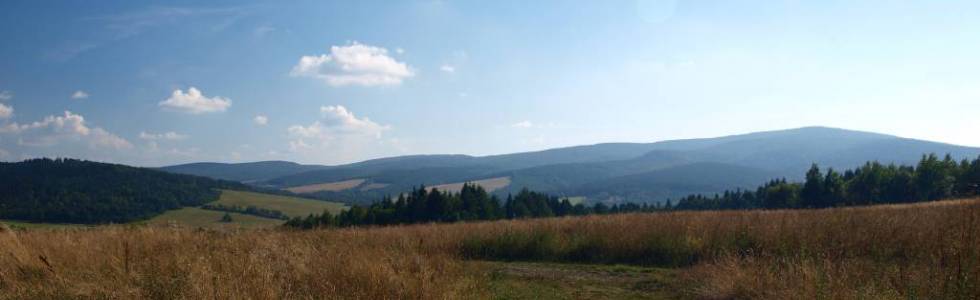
917, 251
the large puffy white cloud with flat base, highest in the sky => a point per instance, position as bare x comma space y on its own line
354, 64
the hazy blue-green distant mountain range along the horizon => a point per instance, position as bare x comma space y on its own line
612, 172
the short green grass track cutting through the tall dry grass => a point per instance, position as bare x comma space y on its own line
522, 280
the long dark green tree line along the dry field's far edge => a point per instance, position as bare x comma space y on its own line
873, 183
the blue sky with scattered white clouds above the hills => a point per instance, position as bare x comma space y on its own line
331, 82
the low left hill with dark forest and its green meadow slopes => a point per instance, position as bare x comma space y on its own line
69, 191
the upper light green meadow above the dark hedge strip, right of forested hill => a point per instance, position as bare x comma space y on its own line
291, 206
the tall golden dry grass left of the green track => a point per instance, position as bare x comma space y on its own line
159, 263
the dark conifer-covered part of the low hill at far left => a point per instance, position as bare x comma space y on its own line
77, 191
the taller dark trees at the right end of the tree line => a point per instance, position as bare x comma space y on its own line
873, 183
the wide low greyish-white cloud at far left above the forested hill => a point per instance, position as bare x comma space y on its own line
53, 130
